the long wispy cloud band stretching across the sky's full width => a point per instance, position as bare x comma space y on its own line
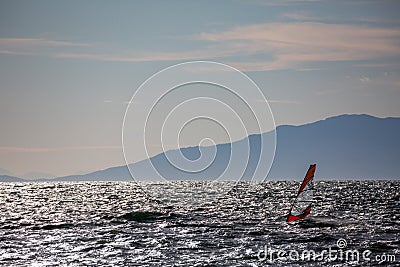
275, 45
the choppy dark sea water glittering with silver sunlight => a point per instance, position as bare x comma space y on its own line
116, 224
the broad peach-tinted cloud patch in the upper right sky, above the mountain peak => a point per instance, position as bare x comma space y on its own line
291, 44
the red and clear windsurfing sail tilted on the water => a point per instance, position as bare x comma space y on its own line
301, 206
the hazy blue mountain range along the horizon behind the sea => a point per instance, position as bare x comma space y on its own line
344, 147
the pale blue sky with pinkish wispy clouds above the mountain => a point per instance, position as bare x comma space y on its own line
68, 69
